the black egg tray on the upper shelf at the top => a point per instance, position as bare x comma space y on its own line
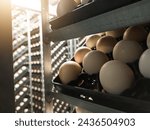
89, 10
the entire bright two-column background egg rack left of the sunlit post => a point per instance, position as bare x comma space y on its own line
27, 57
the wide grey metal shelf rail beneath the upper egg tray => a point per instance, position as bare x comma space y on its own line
136, 13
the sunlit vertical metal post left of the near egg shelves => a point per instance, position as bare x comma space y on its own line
46, 48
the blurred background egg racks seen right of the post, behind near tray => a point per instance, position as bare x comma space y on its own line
62, 52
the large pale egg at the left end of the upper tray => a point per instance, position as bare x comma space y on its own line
65, 6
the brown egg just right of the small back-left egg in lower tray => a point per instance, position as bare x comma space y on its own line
106, 44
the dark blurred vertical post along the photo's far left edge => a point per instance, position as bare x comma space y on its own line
7, 100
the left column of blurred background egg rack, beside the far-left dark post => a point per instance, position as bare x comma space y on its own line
21, 60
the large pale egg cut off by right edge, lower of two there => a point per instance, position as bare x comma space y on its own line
144, 63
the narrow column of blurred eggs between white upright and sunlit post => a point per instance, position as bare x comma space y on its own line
37, 81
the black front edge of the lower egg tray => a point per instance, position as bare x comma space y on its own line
120, 102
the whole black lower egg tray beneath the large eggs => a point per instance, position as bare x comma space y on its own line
135, 99
